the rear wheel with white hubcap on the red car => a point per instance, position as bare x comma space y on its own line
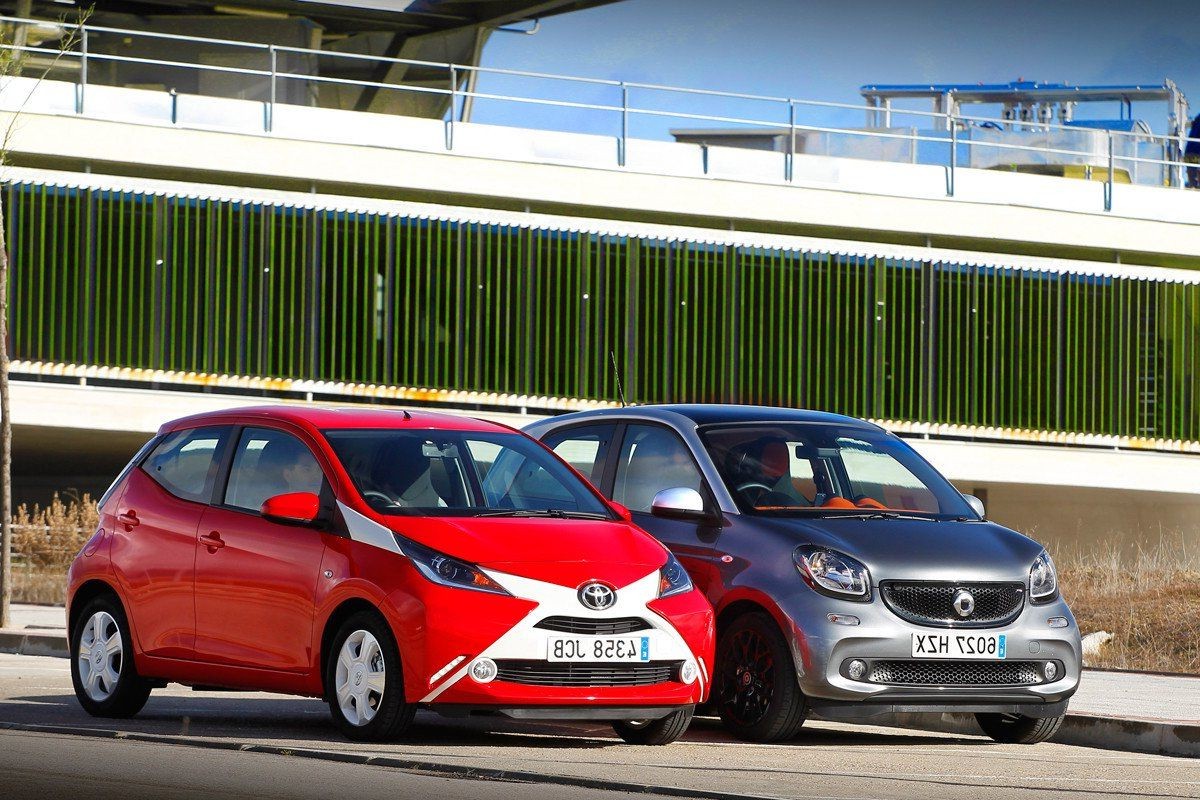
106, 681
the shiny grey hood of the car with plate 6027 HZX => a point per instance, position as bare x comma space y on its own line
917, 550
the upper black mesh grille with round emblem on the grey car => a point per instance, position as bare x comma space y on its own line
933, 604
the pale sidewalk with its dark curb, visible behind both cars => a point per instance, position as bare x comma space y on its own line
1113, 711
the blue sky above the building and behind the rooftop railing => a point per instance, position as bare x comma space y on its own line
826, 51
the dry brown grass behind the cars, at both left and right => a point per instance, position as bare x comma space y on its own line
1149, 599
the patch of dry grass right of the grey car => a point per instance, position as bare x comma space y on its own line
1149, 599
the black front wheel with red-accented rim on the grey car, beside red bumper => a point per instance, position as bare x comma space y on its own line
757, 693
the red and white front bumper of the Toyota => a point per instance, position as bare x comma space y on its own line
451, 637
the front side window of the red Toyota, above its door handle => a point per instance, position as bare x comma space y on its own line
267, 464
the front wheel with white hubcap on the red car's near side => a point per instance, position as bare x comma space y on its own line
364, 682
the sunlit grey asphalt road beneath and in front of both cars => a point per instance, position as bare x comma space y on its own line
187, 744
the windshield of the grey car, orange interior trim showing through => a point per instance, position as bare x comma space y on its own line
820, 470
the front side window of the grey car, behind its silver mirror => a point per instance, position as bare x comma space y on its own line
652, 459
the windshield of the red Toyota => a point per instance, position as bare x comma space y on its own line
460, 473
